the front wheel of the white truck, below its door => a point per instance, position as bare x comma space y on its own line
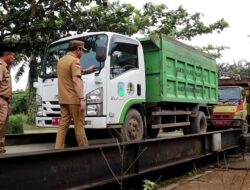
133, 127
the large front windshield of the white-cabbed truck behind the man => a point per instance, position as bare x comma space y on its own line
57, 50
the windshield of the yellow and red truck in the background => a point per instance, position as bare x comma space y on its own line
229, 94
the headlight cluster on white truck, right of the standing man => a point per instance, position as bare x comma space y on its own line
95, 102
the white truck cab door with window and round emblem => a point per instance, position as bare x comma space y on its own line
126, 79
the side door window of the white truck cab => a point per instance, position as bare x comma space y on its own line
124, 58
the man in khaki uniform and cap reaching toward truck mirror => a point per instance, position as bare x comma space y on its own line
71, 96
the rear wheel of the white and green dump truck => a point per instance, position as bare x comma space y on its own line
199, 124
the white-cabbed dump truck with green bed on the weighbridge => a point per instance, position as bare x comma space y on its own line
140, 86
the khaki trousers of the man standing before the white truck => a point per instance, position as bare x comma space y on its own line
69, 111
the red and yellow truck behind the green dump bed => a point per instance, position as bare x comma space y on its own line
233, 109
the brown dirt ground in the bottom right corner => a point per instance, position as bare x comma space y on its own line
234, 176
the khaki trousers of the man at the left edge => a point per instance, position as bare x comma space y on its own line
4, 110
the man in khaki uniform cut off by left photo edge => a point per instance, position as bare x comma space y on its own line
7, 58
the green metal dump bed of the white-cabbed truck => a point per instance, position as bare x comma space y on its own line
176, 72
